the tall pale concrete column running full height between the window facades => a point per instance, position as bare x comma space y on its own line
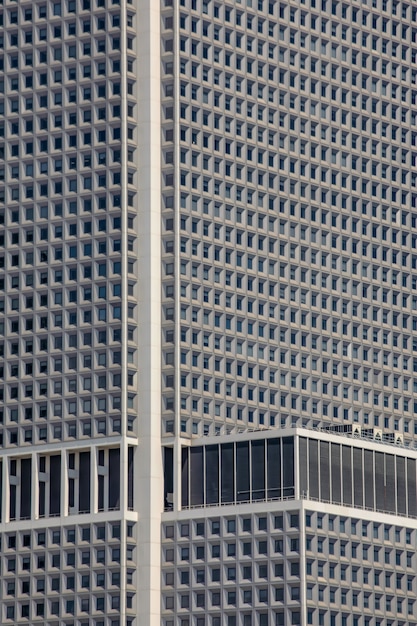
148, 458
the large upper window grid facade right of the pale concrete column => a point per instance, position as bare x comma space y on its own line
297, 201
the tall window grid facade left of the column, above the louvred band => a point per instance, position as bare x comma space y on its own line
61, 309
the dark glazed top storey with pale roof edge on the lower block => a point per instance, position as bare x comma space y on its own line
277, 465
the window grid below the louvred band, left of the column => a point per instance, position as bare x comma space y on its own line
65, 572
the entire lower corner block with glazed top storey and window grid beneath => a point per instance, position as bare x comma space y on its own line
290, 528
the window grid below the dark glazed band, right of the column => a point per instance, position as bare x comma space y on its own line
358, 571
